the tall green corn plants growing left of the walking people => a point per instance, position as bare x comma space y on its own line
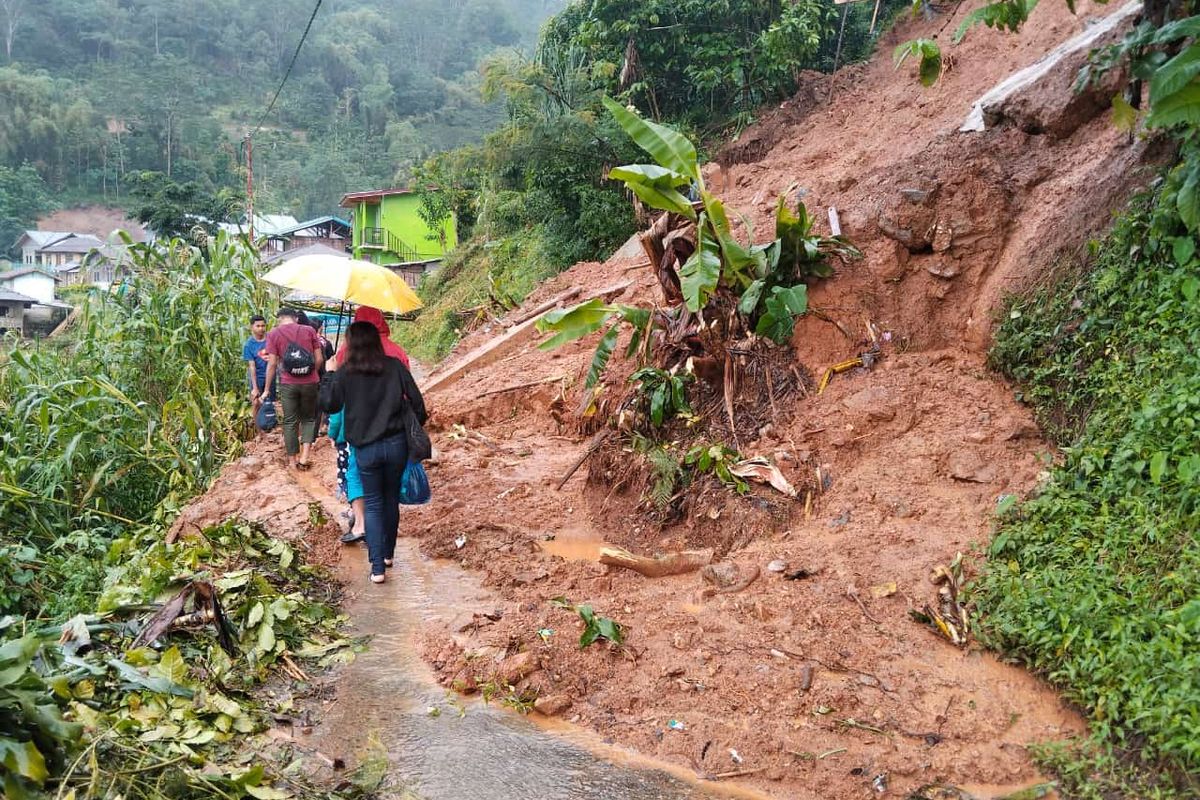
142, 404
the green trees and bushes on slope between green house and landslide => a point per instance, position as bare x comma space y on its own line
535, 196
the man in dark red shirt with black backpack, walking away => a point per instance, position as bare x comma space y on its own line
295, 353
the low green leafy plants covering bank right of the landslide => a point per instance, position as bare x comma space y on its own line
1095, 582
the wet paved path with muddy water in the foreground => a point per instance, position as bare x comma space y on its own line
470, 751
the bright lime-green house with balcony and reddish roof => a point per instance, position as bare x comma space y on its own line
388, 230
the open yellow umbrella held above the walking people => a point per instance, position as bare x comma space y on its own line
346, 279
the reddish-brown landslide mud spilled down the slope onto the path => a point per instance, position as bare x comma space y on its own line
817, 687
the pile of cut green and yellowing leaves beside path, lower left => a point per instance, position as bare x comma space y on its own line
89, 709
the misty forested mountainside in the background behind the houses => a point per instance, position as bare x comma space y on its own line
95, 92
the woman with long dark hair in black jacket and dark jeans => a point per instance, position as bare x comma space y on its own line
376, 393
